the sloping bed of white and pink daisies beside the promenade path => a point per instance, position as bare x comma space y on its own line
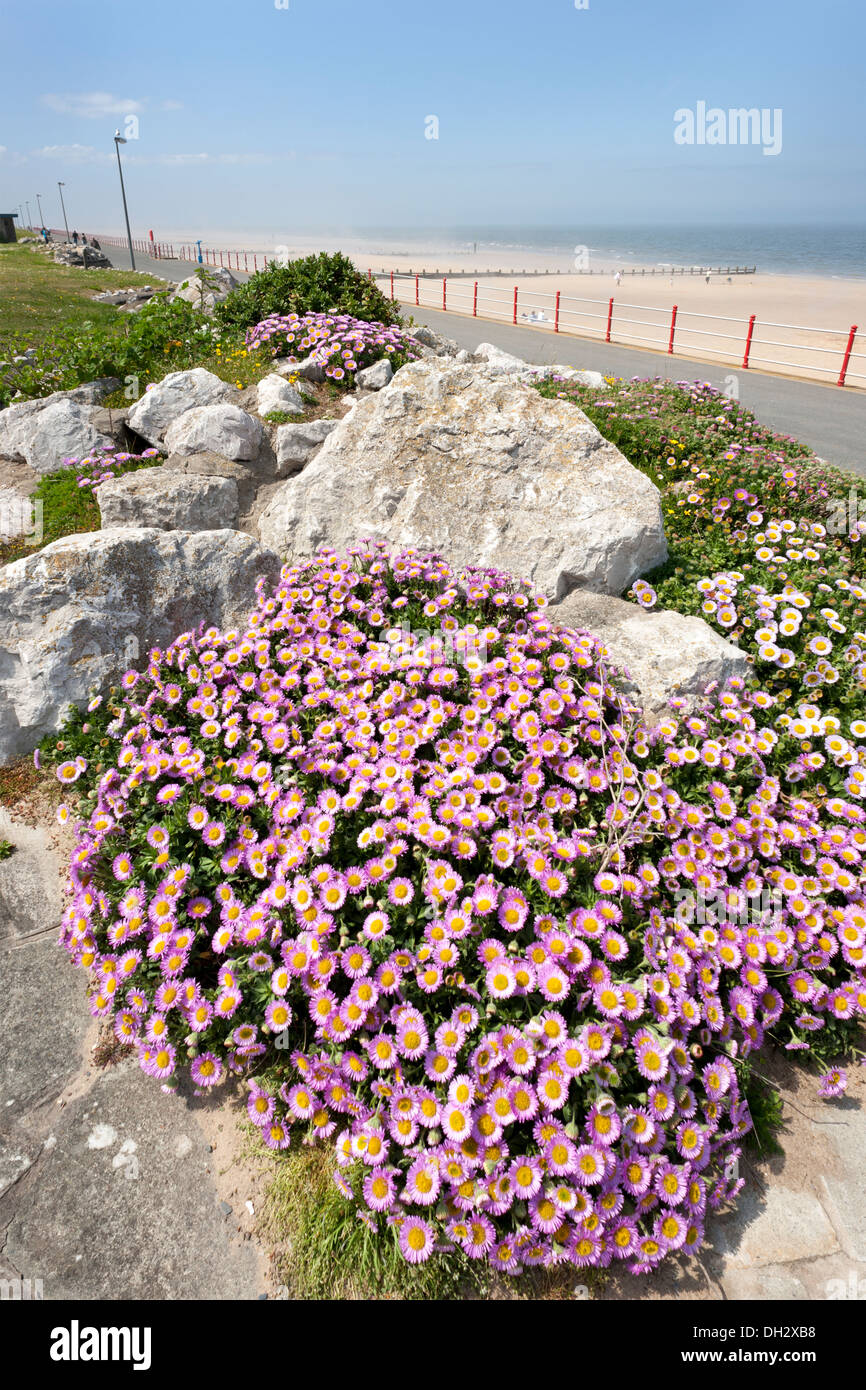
767, 544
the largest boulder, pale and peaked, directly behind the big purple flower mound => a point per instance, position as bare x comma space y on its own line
482, 469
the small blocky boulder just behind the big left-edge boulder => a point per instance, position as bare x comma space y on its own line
169, 501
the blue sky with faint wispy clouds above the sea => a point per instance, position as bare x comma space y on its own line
313, 117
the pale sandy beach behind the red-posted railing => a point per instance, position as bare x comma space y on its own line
801, 323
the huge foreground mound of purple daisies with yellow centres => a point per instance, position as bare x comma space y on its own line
434, 911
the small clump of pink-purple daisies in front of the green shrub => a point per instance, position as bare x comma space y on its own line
341, 344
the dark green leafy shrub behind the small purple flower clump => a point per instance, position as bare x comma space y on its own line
316, 284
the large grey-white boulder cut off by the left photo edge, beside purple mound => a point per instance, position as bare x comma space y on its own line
79, 614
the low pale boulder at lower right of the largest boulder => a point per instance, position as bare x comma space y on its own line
665, 654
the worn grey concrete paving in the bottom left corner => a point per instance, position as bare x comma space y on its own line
109, 1189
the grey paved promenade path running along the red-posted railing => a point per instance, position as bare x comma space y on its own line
832, 420
